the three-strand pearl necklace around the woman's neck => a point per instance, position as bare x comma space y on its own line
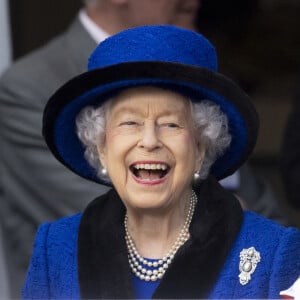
158, 267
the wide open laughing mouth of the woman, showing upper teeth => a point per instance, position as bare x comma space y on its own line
150, 171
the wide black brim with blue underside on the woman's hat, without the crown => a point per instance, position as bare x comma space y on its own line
96, 86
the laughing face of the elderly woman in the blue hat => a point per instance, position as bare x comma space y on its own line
150, 150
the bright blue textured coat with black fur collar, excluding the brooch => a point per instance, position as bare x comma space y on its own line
71, 259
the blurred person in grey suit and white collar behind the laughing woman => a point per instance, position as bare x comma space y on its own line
36, 188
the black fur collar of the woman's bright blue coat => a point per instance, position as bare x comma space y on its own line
103, 267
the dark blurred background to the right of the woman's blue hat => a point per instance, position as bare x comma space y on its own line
258, 42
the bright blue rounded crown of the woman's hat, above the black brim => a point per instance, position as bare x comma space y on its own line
155, 43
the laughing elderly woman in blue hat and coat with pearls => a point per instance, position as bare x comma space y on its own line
153, 119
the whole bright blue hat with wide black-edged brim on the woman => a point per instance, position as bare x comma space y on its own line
165, 56
